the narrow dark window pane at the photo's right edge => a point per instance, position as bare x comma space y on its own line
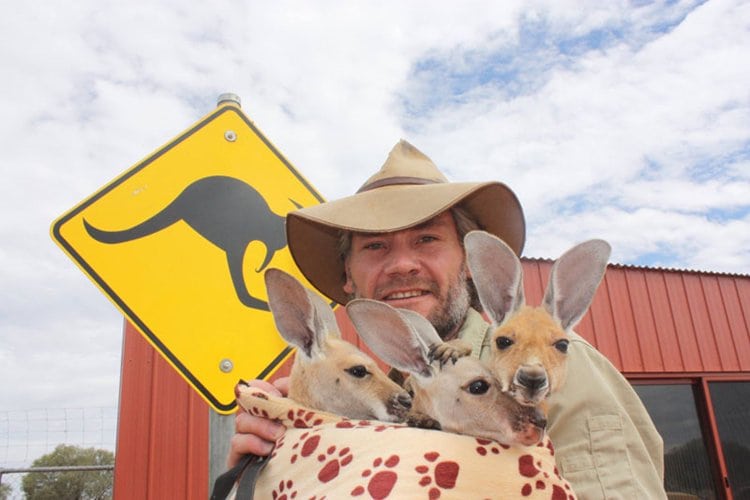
731, 401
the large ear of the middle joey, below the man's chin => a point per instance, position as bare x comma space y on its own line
389, 335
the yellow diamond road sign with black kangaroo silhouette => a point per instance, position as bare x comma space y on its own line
179, 243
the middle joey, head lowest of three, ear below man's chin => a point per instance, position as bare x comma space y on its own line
460, 395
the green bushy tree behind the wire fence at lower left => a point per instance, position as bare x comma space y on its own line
70, 485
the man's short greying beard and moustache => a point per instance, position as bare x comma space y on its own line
452, 307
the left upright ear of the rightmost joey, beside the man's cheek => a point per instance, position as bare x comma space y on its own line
497, 274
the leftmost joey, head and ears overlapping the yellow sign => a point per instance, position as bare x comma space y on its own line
329, 373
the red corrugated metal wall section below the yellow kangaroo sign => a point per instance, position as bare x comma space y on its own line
162, 430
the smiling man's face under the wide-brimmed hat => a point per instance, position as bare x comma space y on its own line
421, 268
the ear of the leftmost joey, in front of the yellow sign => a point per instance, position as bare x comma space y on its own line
294, 312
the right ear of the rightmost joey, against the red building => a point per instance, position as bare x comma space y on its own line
574, 278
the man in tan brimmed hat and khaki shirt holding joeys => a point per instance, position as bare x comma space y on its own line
399, 240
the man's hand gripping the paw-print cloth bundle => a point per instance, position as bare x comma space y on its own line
253, 434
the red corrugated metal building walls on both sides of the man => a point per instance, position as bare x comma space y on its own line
644, 320
